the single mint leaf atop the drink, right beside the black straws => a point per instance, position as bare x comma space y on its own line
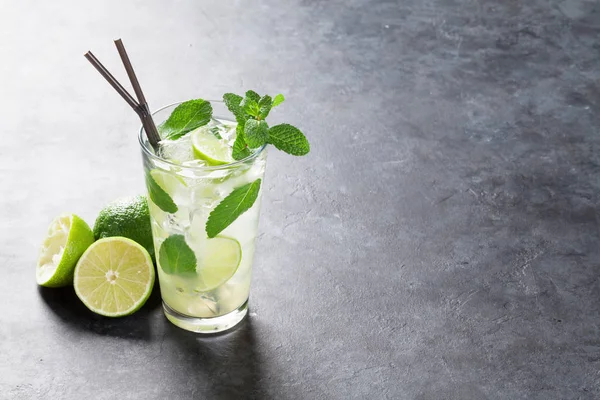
185, 118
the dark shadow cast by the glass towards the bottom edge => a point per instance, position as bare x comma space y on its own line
225, 366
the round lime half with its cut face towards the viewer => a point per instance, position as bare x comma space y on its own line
114, 277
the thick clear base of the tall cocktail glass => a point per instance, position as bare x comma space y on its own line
206, 325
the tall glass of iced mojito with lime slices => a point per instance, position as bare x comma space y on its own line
204, 281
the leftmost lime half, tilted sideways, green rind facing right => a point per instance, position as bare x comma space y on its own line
68, 237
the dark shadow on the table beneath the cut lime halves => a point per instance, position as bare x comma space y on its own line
65, 304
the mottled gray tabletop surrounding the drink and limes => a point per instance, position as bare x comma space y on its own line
440, 241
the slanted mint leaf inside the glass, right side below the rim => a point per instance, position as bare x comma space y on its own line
235, 204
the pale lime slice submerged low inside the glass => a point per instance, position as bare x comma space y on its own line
219, 262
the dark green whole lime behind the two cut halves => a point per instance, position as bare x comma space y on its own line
128, 217
